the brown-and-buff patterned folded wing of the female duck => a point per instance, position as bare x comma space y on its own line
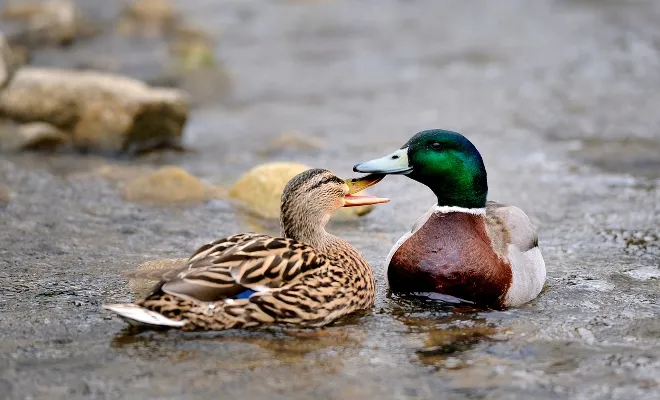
258, 263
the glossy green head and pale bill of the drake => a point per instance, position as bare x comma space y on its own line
447, 162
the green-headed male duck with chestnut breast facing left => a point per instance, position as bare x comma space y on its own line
463, 246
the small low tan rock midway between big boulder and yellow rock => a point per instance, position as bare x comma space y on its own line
169, 186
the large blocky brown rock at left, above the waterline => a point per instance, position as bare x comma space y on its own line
101, 112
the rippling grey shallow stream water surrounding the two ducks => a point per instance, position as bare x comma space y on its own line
552, 93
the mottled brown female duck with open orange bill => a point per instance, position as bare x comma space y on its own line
308, 277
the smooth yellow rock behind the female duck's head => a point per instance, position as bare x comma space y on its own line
259, 191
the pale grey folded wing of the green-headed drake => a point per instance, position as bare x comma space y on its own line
509, 225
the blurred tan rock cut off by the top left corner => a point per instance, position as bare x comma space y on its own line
52, 22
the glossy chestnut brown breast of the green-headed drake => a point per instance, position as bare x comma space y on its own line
451, 254
